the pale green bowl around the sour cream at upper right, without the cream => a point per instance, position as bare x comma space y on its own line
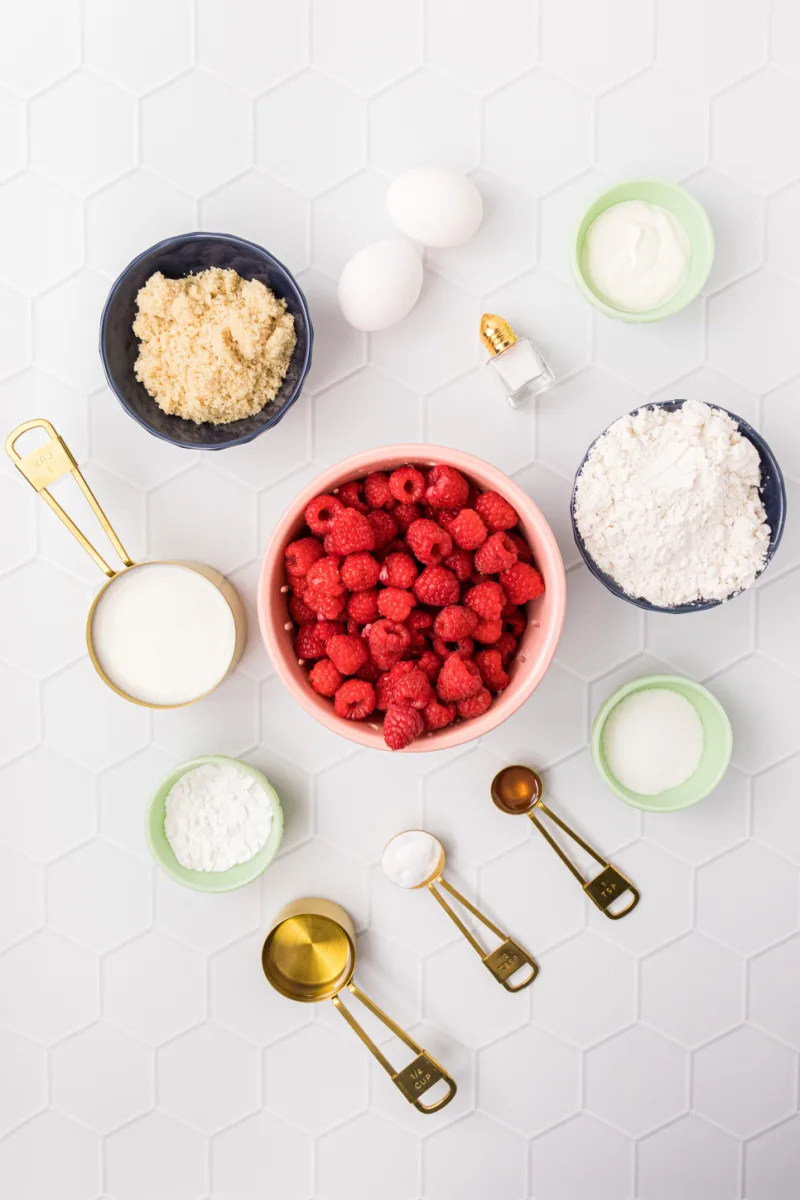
691, 215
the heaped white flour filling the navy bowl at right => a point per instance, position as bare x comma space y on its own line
669, 506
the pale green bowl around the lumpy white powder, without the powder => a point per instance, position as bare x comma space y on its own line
212, 881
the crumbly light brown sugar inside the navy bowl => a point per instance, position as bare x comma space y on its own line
215, 347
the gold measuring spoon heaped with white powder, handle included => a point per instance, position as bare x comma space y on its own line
417, 860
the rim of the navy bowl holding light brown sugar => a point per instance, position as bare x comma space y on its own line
244, 244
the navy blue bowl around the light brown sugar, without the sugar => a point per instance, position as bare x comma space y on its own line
119, 347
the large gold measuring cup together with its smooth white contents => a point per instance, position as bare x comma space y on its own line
160, 634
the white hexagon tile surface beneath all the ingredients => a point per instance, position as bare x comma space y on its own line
142, 1053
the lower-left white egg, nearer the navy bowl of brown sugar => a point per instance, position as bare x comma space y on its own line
381, 285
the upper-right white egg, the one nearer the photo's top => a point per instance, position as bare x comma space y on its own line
436, 206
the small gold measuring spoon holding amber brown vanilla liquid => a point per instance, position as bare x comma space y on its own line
519, 791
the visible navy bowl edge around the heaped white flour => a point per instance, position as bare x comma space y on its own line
773, 493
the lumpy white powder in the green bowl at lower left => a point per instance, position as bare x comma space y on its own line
216, 817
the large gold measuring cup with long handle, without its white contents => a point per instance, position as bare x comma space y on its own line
50, 463
